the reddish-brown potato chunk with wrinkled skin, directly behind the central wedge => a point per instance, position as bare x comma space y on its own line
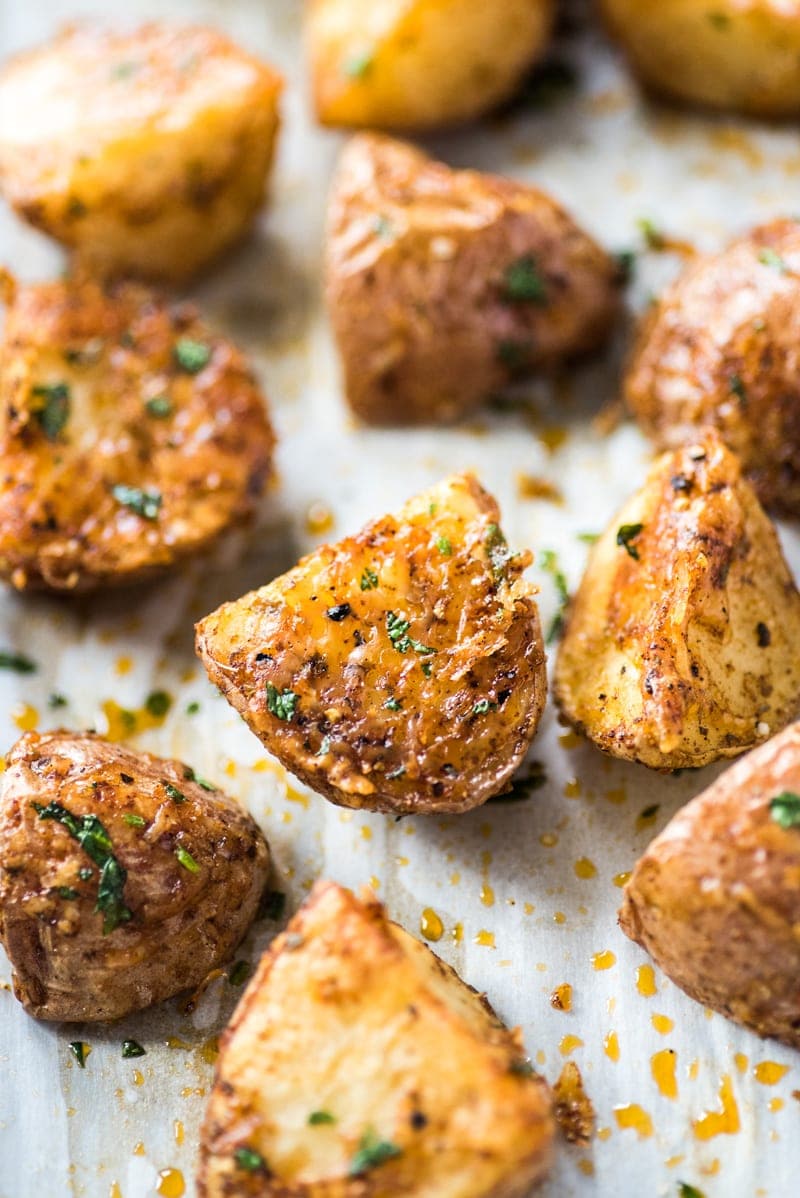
416, 264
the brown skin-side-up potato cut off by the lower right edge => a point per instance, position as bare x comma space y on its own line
716, 900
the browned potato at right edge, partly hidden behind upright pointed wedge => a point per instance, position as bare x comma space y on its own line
722, 349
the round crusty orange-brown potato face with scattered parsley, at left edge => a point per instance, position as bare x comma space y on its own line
130, 435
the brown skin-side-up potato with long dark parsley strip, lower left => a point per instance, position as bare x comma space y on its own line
184, 924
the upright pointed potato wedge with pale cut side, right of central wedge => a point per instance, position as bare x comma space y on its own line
681, 644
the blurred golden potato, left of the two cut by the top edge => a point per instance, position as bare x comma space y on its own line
420, 64
